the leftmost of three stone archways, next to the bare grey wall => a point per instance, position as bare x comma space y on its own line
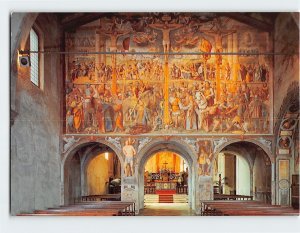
83, 151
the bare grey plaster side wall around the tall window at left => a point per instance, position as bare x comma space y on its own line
35, 133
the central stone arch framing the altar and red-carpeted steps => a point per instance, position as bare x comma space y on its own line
177, 147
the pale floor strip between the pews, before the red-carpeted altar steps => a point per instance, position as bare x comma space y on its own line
166, 209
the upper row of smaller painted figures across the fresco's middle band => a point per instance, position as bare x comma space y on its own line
153, 70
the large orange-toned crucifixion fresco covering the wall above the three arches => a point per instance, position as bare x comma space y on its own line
168, 73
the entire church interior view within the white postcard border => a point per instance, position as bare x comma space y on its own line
126, 114
